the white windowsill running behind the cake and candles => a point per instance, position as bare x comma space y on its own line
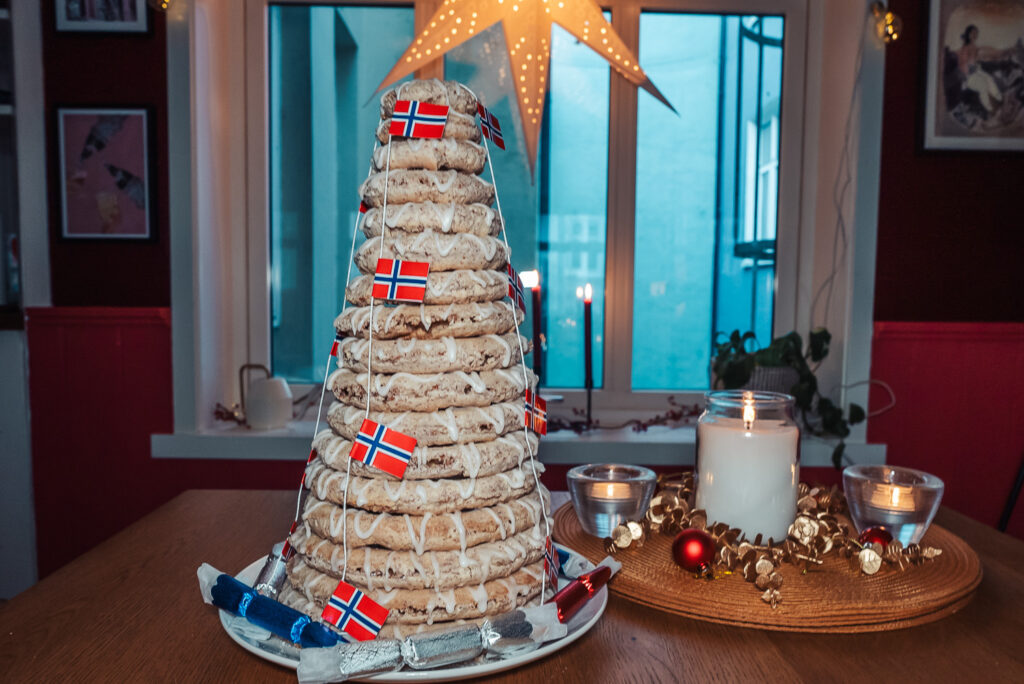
658, 447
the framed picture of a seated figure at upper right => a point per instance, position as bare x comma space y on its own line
975, 75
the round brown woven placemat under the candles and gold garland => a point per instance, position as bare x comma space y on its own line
830, 598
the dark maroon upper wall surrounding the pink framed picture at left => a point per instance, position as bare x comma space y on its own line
108, 70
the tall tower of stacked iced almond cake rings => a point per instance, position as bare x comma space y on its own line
462, 535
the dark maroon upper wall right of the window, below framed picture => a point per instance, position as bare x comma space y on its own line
951, 235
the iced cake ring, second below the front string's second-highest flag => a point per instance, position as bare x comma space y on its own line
449, 354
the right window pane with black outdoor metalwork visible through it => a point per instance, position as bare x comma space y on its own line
707, 192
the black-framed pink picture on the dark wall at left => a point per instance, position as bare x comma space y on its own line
106, 176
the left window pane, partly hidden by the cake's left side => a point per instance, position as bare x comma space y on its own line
325, 65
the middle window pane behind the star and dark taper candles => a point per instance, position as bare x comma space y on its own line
557, 225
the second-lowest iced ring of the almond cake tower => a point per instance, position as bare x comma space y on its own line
430, 606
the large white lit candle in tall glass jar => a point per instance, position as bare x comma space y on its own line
748, 463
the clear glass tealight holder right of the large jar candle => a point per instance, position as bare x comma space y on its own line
903, 501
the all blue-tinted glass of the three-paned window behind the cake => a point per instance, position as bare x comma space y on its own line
705, 221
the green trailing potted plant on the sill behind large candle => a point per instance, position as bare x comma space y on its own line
787, 364
